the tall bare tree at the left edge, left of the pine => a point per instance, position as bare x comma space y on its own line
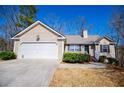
9, 14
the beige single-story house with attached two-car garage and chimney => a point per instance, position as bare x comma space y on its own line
39, 41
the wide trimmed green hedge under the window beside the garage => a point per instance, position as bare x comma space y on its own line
76, 57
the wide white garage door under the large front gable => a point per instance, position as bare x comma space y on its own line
38, 51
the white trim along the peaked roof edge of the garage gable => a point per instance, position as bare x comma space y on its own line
37, 22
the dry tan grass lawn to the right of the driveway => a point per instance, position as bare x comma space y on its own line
77, 77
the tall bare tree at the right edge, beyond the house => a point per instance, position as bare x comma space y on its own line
117, 23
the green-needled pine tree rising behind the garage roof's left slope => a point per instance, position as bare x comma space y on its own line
27, 15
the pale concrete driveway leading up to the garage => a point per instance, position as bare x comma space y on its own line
27, 73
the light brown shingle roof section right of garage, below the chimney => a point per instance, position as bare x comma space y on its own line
77, 39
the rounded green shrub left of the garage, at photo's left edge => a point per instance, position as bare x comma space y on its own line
7, 55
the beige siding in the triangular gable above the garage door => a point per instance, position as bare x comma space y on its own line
44, 34
